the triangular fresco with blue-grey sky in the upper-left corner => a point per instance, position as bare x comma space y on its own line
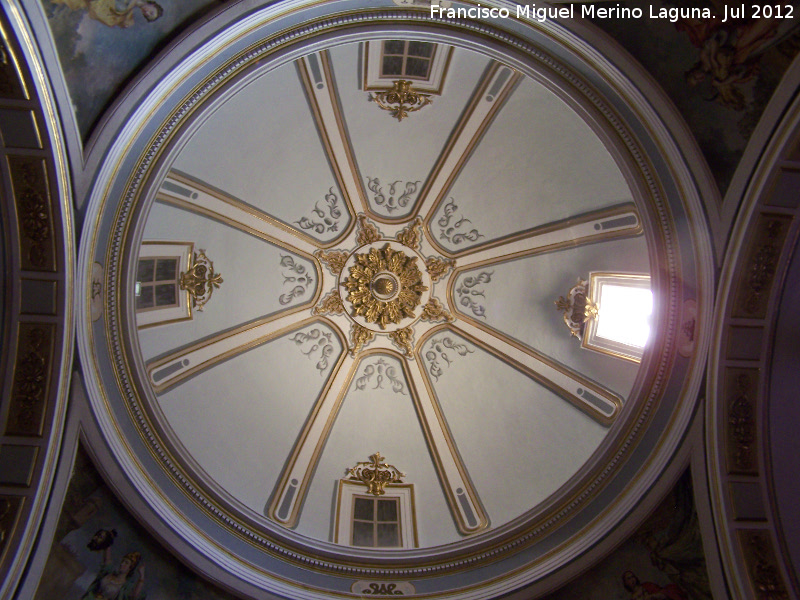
102, 43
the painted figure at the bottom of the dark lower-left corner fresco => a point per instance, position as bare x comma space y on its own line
123, 583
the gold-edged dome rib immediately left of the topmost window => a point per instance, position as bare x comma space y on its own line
327, 113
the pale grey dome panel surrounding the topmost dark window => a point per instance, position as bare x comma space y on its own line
394, 158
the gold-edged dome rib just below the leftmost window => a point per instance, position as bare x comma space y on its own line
174, 368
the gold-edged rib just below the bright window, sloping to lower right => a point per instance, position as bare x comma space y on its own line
597, 402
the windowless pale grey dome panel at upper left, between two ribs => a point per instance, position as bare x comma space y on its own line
265, 149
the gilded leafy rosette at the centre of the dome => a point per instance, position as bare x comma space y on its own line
384, 286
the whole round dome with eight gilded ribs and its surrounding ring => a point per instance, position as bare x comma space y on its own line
333, 348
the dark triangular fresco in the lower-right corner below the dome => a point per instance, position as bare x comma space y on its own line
663, 560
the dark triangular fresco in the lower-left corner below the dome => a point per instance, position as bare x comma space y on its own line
100, 551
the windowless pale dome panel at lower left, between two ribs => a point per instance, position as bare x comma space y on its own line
275, 387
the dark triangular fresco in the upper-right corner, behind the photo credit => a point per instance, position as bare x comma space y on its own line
719, 75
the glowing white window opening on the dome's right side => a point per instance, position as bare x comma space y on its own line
624, 314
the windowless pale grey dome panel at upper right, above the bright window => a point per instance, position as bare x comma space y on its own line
540, 161
